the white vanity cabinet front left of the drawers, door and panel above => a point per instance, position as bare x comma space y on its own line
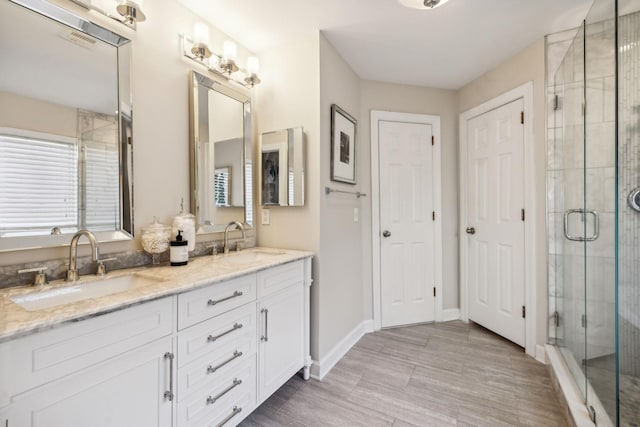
110, 370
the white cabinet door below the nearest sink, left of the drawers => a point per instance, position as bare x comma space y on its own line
126, 391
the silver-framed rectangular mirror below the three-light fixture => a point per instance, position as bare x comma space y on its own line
220, 155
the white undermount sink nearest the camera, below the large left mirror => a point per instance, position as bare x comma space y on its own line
80, 291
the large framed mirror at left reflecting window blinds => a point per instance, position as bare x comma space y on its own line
65, 128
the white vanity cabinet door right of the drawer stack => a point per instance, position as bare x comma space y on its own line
281, 335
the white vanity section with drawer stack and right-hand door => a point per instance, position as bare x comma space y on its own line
239, 341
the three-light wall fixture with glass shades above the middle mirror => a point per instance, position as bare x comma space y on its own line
224, 65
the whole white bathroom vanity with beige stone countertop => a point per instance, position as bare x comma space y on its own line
200, 345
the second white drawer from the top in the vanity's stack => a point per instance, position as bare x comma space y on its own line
216, 333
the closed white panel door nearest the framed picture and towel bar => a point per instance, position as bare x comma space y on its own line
407, 267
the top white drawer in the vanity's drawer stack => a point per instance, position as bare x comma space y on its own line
202, 304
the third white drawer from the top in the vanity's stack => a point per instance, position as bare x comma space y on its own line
207, 370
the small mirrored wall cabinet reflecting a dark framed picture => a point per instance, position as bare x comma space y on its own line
282, 174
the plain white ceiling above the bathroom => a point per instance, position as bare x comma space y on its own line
445, 47
